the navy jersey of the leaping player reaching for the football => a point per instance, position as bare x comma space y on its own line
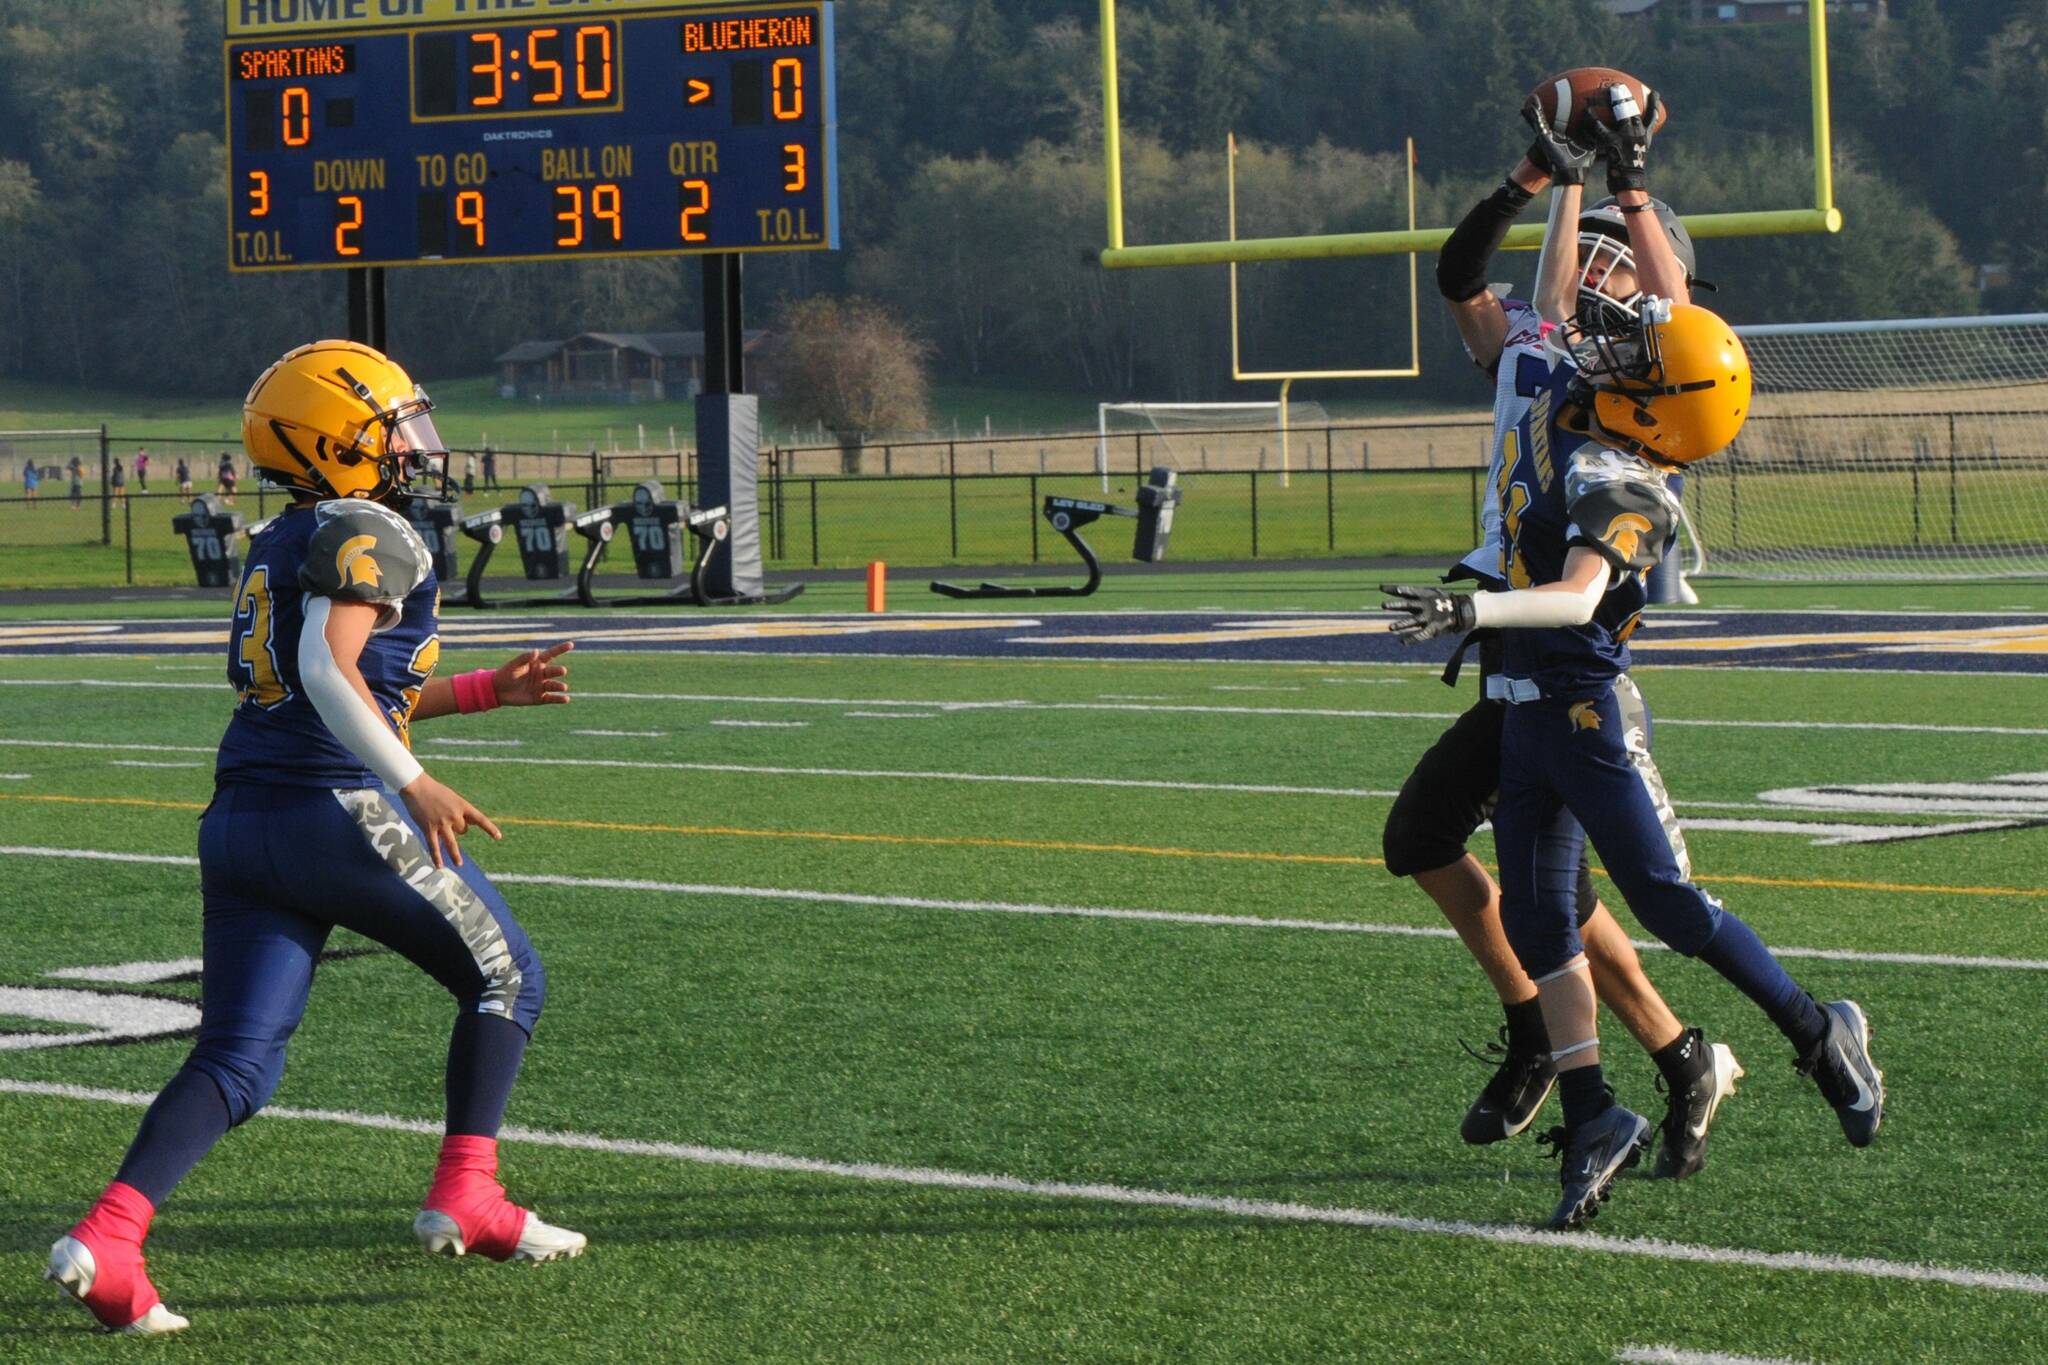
1558, 490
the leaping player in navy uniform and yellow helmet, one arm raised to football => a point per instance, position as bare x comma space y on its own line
1584, 517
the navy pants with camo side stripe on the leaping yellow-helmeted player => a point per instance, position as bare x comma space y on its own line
1574, 773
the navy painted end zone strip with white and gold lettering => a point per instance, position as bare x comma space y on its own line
1988, 644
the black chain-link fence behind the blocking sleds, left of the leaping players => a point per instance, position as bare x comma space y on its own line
1392, 490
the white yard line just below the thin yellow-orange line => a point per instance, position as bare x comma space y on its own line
1074, 912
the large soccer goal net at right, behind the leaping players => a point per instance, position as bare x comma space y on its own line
1885, 451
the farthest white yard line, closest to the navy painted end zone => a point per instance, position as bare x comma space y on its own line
1326, 713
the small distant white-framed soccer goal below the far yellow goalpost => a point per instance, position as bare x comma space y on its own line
1195, 437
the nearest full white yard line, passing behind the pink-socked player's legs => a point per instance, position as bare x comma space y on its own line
1867, 1268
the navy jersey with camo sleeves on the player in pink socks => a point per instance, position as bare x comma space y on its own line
351, 552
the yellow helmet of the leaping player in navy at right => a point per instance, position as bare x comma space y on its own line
1674, 390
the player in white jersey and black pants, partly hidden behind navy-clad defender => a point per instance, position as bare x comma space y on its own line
1453, 789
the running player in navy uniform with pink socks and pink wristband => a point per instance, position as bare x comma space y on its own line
323, 818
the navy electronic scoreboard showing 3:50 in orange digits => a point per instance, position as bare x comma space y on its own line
407, 132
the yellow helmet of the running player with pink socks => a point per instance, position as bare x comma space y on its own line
341, 421
